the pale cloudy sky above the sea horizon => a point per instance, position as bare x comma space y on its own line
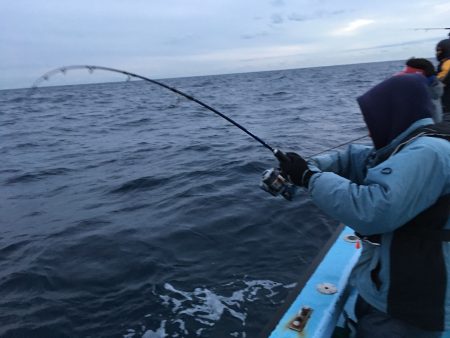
179, 38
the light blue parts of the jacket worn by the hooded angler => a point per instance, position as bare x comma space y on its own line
379, 199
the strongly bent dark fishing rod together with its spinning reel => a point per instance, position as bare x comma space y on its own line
273, 181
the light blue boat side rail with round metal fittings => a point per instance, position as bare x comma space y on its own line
322, 303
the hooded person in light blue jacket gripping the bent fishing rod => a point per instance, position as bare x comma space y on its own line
396, 196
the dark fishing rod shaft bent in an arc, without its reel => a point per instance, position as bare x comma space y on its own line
63, 70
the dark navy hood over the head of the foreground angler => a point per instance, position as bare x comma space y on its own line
392, 106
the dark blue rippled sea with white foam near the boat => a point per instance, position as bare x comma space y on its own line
128, 211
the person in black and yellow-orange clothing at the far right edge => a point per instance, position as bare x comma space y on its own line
443, 56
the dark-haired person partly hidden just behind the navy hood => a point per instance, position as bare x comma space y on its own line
426, 68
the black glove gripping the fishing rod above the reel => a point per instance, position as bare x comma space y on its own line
296, 169
